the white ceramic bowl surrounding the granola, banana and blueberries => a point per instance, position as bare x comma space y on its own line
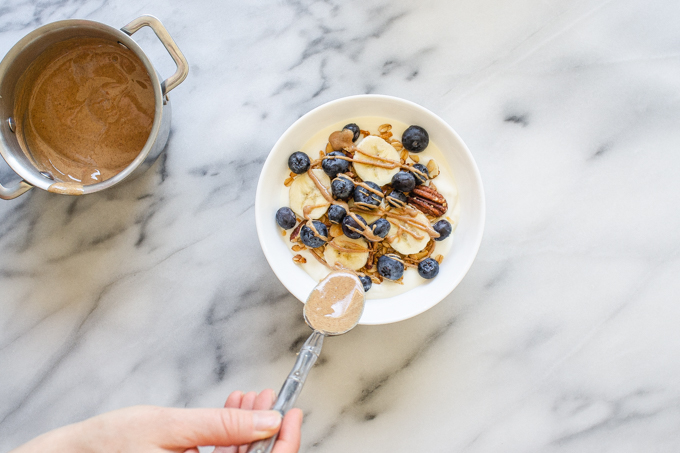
467, 236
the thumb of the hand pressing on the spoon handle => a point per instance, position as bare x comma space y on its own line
220, 427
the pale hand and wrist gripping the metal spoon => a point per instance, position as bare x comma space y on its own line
150, 429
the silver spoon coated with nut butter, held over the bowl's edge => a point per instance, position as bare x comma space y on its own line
334, 307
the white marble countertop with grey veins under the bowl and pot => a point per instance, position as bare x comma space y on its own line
564, 335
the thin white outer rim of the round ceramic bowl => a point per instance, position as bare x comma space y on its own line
474, 174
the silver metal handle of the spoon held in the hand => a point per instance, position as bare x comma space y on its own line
292, 386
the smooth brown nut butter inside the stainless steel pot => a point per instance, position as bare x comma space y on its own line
84, 110
